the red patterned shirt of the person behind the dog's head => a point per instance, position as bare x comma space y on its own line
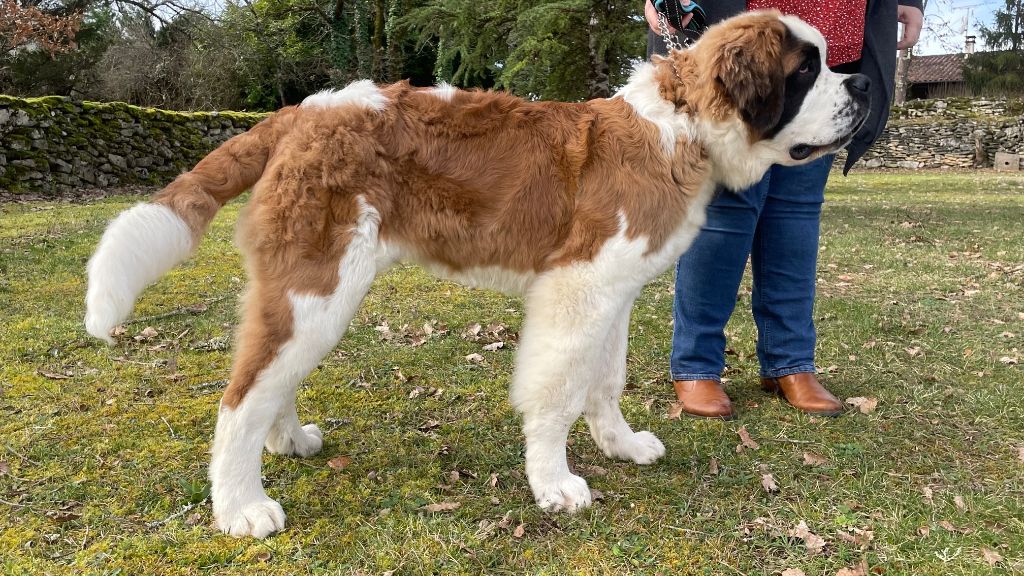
841, 22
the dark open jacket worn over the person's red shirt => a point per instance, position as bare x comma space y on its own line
878, 61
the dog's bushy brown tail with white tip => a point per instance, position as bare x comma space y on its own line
145, 242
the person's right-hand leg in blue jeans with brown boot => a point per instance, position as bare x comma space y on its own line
784, 260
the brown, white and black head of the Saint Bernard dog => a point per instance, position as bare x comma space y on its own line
757, 92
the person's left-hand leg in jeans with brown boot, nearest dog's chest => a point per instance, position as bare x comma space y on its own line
708, 276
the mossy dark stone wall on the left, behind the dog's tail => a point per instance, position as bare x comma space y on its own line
54, 145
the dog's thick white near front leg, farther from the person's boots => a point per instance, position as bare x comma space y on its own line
567, 317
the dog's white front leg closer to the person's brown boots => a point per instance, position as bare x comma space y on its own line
605, 417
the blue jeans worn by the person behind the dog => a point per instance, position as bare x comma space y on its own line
776, 223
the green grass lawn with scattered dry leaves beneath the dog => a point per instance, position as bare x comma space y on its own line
920, 306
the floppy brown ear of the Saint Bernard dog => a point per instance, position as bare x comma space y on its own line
750, 72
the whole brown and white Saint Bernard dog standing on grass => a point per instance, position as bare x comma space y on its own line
576, 207
